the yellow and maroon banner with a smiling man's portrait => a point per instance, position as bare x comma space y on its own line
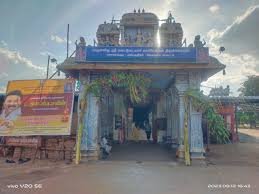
37, 107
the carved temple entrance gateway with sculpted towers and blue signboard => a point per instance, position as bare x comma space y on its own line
131, 46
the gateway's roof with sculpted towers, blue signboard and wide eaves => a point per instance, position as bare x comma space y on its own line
135, 48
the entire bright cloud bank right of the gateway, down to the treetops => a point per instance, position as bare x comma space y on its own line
242, 50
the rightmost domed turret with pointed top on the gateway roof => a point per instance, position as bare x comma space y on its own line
171, 33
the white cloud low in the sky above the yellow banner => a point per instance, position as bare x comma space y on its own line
15, 66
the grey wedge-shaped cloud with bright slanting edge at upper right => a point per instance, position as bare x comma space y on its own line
242, 35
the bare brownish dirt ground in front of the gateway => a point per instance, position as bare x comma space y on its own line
233, 167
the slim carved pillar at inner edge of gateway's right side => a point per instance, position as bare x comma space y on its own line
181, 83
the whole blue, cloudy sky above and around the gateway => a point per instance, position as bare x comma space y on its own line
33, 29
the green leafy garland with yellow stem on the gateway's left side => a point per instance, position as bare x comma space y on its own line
135, 84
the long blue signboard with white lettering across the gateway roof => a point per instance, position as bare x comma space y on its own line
139, 55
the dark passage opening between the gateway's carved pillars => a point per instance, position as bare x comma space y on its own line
130, 137
